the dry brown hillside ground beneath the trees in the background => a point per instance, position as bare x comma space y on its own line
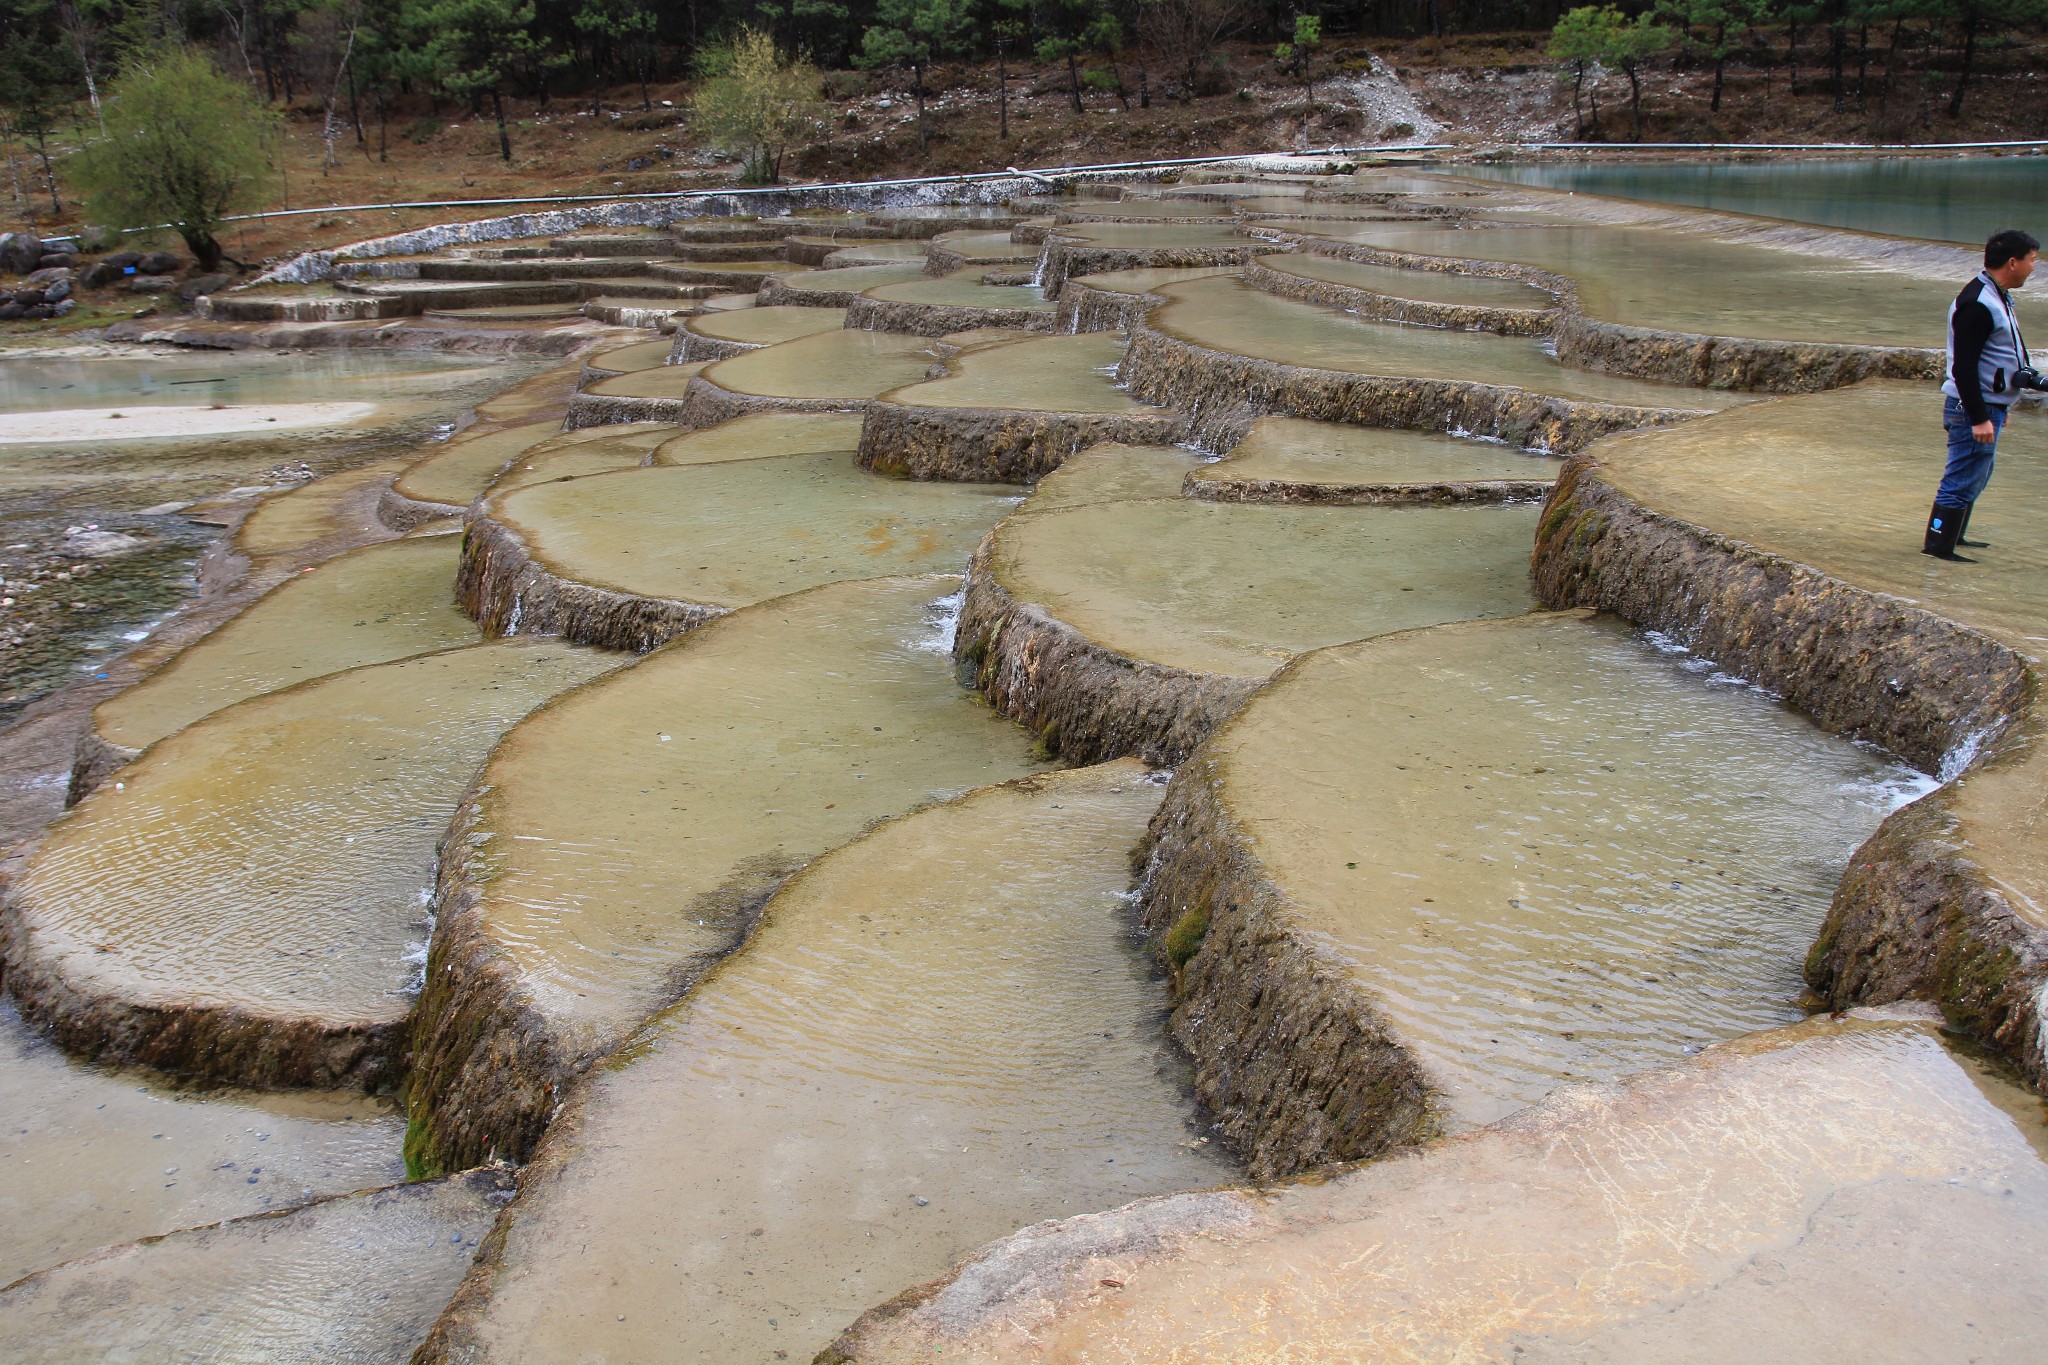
1484, 89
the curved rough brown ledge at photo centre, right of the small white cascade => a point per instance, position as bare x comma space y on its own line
1086, 703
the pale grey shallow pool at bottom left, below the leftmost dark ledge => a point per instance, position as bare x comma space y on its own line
97, 1155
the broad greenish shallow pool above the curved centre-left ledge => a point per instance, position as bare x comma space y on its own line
742, 531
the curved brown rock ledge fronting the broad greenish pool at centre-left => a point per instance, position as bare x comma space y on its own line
509, 592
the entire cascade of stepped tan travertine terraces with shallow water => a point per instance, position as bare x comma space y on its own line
767, 856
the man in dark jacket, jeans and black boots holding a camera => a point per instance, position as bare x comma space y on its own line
1988, 367
